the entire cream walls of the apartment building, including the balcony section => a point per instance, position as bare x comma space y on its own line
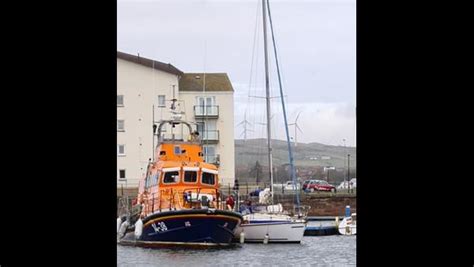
140, 86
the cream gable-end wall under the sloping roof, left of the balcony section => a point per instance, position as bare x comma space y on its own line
140, 87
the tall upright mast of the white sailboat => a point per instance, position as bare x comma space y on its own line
267, 90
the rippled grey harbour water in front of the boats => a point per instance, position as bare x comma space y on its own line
334, 250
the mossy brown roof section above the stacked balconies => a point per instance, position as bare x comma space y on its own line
215, 82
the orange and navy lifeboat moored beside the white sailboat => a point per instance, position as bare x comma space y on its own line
179, 201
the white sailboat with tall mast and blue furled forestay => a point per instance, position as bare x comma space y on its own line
273, 225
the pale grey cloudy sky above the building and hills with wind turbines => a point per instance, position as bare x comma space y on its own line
316, 46
